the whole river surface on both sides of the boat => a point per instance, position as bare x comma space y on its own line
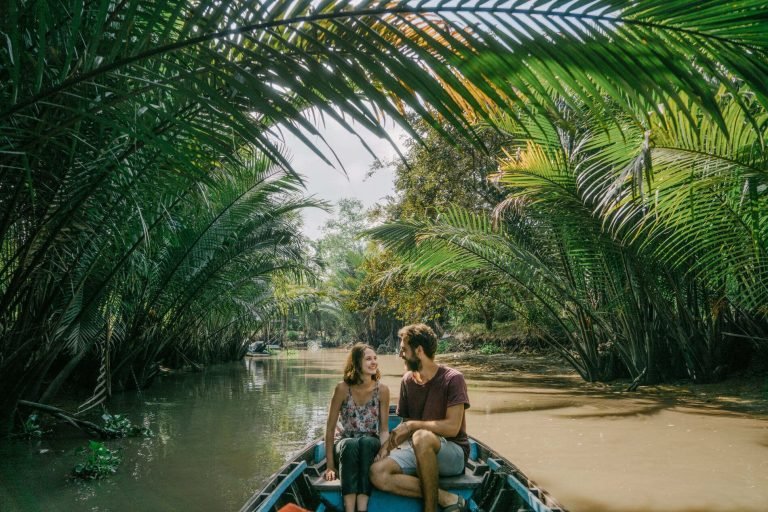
220, 433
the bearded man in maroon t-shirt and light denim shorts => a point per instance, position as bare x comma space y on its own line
432, 402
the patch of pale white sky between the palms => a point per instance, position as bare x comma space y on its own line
331, 184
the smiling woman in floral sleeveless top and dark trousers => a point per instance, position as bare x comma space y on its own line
358, 424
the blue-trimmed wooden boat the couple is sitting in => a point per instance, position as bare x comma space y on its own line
490, 483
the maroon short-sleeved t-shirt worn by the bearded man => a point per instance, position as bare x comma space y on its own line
430, 401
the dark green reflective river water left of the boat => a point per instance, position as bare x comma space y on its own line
218, 435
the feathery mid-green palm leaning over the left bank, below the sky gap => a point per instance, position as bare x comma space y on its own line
211, 271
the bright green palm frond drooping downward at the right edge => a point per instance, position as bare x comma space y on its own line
698, 201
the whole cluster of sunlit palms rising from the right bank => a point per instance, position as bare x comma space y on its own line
611, 234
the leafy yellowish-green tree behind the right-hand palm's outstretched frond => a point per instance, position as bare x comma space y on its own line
435, 173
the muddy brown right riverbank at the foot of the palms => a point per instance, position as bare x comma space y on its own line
746, 393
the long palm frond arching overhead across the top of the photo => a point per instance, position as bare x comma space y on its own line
267, 56
